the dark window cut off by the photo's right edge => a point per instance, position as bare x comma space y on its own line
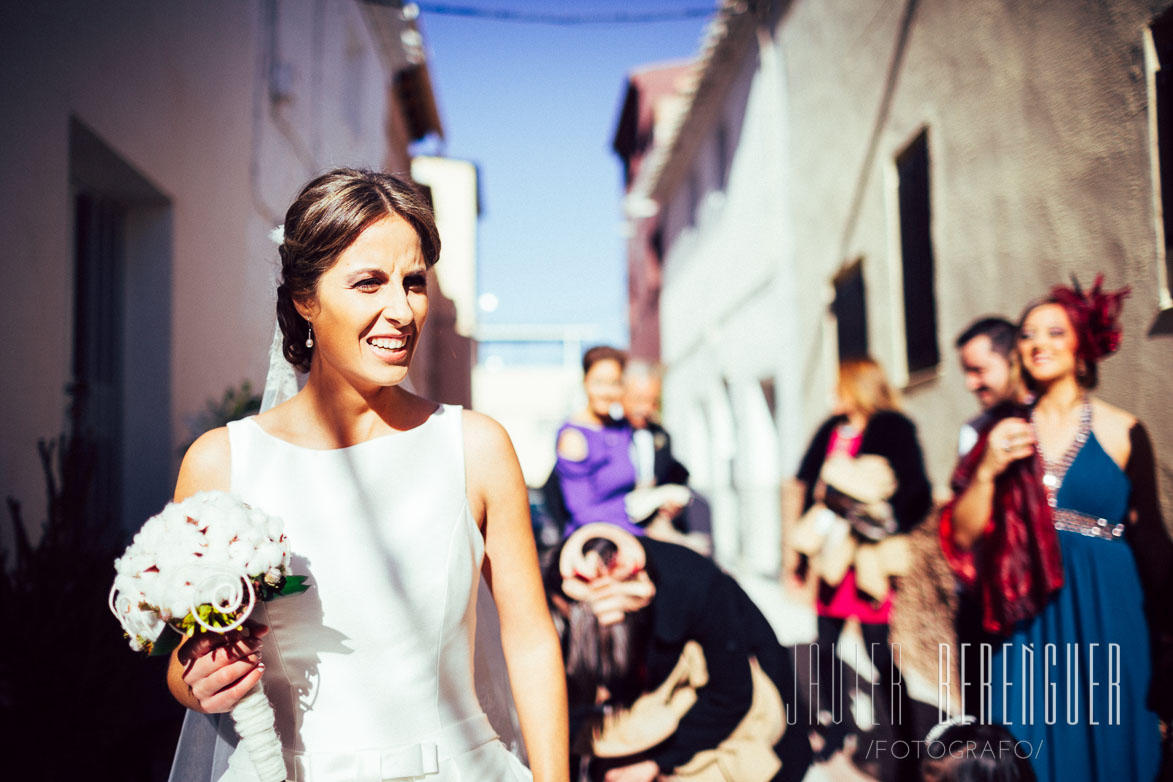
1161, 58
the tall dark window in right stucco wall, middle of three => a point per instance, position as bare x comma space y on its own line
917, 256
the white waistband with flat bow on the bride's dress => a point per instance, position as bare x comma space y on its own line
402, 763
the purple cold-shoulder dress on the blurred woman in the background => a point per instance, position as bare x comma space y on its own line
594, 488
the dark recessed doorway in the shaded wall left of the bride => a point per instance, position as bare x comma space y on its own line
121, 332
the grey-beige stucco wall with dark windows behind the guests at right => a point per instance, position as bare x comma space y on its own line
1040, 162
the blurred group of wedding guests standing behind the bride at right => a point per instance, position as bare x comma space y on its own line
1061, 573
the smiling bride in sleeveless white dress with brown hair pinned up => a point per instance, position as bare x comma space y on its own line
395, 508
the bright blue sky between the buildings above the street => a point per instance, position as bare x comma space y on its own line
535, 107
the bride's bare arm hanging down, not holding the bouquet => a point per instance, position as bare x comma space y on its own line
533, 655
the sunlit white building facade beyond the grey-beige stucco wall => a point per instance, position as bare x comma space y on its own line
723, 324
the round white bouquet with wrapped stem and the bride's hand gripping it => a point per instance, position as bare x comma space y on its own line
196, 572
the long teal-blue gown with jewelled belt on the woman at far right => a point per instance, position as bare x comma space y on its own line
1095, 697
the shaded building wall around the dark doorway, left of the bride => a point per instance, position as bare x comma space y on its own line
227, 108
